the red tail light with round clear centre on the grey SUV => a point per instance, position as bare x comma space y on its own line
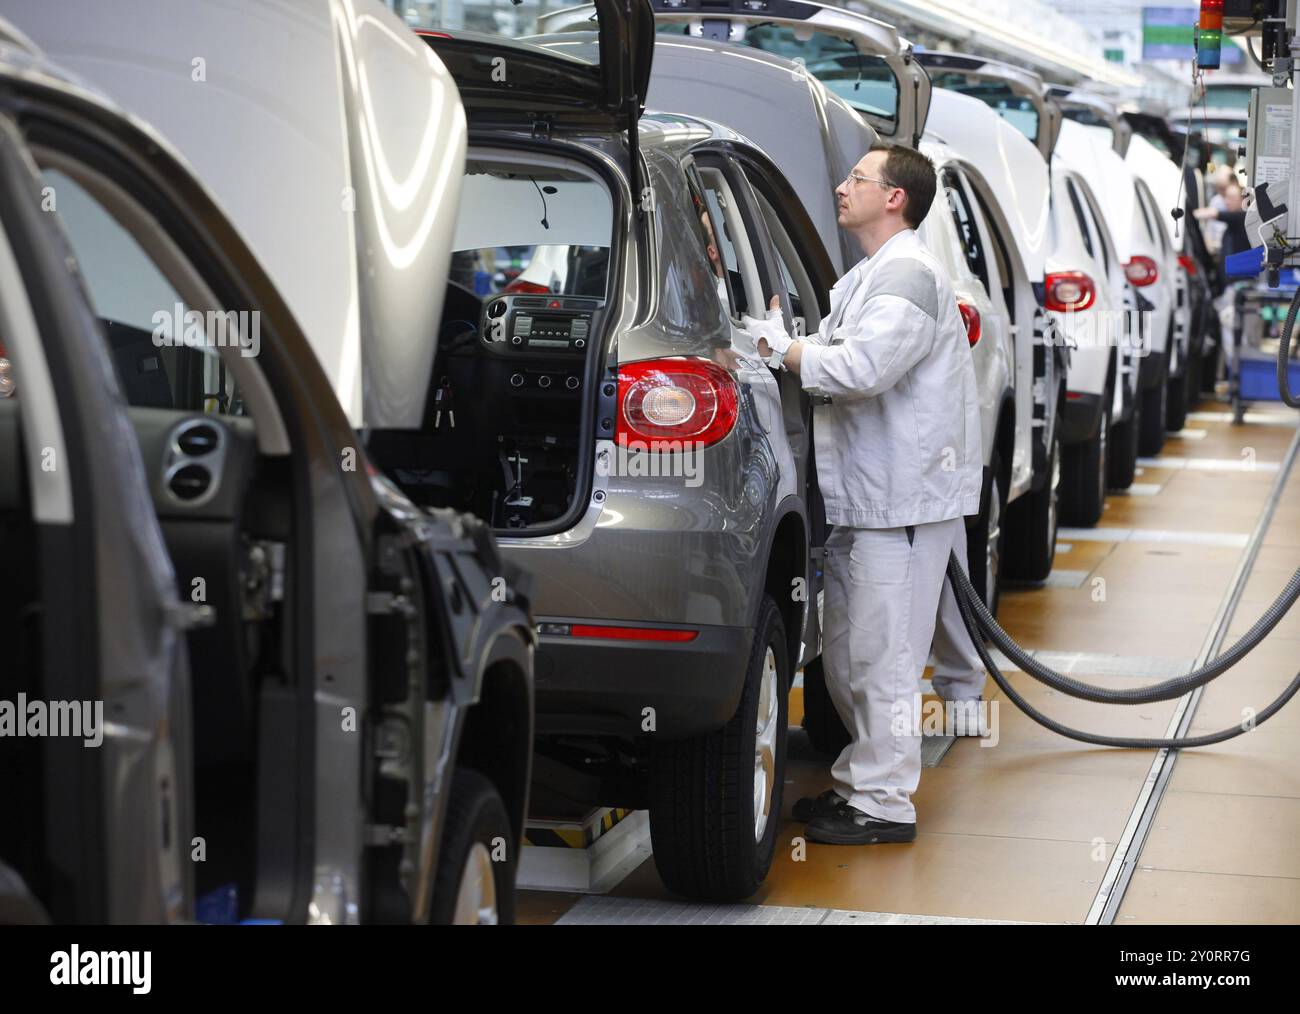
679, 398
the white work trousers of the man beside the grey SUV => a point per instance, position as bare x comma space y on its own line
885, 593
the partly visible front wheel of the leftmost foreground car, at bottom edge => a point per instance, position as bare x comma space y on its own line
475, 886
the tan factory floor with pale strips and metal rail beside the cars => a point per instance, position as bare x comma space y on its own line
1042, 829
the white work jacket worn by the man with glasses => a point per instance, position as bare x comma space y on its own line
899, 441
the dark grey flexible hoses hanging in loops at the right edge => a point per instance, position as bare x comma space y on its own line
980, 622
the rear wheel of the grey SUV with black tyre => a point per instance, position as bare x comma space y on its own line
716, 800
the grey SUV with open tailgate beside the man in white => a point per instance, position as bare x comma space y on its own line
629, 444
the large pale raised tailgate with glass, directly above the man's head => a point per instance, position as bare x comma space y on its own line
857, 58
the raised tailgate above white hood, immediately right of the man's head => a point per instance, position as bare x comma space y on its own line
1017, 96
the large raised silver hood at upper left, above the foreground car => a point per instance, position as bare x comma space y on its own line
242, 119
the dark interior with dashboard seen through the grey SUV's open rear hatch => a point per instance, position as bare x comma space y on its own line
526, 306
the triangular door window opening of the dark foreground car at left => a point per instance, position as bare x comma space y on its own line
167, 356
